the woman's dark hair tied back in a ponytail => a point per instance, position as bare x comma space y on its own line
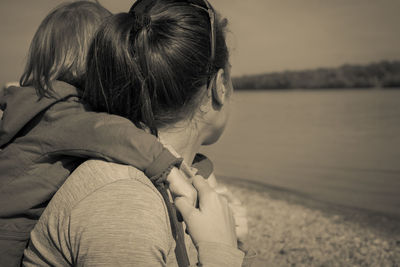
148, 65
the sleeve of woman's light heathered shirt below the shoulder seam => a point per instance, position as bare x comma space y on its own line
121, 224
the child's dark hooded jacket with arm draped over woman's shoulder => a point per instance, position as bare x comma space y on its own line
42, 140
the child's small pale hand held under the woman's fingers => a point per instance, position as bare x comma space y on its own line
180, 186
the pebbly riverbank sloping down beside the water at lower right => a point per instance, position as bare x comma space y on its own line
291, 230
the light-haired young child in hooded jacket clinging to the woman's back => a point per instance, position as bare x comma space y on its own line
46, 132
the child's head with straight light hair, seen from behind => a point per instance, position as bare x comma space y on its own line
59, 48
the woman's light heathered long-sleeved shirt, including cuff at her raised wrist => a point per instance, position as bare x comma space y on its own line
109, 214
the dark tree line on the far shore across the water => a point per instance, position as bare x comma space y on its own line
384, 74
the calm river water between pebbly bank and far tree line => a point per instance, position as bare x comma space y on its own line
337, 146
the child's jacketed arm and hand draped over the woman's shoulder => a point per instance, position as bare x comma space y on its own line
113, 138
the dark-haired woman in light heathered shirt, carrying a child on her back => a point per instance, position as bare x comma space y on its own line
164, 66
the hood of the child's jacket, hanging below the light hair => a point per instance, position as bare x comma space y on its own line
21, 104
